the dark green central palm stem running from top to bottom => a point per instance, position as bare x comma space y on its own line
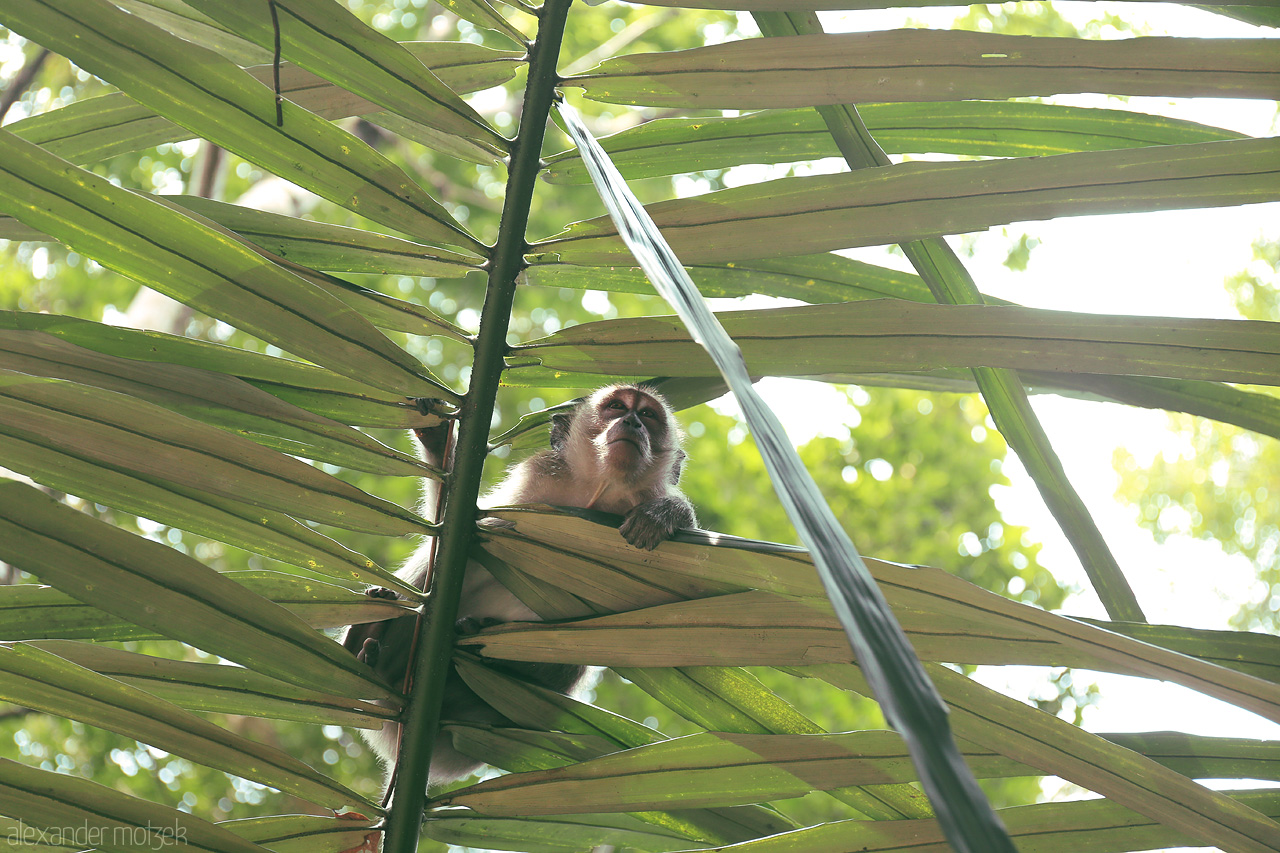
423, 714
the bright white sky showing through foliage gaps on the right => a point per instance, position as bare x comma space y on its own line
1148, 264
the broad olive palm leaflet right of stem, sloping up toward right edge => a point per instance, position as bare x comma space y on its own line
916, 200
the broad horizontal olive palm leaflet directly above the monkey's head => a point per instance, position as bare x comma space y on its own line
888, 336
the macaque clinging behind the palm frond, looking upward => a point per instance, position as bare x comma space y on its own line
618, 451
